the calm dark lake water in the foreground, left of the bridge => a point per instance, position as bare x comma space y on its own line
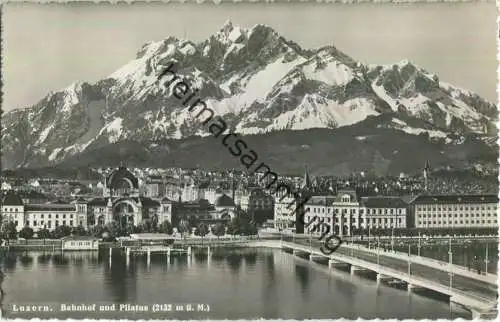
232, 283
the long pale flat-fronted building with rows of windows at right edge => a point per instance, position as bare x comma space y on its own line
455, 211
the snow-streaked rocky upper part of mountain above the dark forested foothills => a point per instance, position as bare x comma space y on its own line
259, 83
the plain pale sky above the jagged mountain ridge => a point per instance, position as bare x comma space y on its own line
47, 47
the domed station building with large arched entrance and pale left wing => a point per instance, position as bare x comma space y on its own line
121, 201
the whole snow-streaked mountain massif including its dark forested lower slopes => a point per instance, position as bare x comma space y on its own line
315, 106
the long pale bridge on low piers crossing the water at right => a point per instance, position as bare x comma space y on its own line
475, 292
